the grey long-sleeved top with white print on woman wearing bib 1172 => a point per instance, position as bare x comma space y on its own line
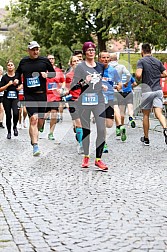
94, 87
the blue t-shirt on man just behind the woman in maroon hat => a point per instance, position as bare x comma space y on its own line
110, 78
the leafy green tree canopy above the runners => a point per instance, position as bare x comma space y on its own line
71, 22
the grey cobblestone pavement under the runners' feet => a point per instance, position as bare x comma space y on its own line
49, 203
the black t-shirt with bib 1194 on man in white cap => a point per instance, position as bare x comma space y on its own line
31, 69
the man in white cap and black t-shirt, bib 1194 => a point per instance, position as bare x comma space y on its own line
35, 69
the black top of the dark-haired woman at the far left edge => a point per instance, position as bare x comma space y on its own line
5, 80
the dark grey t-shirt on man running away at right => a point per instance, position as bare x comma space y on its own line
152, 69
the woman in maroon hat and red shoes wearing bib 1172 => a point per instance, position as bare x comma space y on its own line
89, 74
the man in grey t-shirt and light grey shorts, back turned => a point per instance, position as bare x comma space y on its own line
150, 70
